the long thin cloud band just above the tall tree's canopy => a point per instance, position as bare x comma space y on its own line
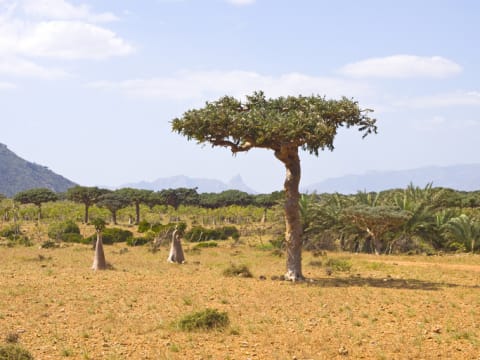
209, 85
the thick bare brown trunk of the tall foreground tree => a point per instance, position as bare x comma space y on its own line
293, 225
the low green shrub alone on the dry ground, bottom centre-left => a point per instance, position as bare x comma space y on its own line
209, 319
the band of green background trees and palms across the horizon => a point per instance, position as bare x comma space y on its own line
410, 220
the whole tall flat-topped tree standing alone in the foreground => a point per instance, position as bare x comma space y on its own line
284, 125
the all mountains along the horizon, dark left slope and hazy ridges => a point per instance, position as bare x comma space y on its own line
17, 174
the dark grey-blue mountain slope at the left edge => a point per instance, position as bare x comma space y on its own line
17, 174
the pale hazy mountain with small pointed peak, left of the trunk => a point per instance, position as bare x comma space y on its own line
202, 185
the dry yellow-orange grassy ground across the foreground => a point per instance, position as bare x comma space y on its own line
383, 308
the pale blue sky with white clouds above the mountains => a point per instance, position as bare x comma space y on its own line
89, 88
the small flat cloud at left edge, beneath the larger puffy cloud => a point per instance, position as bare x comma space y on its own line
25, 68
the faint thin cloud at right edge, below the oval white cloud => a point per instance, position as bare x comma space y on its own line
470, 98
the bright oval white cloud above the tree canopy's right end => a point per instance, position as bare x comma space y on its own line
402, 66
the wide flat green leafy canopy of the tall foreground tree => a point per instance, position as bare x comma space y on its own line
310, 122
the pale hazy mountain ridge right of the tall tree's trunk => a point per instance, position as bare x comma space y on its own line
459, 177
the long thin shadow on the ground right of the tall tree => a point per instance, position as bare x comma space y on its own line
388, 283
